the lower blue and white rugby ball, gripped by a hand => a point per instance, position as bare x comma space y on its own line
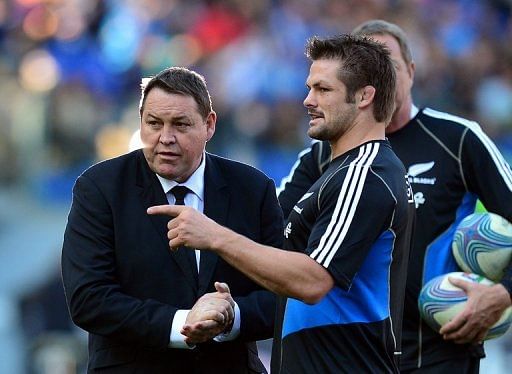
440, 301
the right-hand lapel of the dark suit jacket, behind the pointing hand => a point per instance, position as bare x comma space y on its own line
216, 207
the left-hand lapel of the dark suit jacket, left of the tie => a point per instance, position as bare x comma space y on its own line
152, 194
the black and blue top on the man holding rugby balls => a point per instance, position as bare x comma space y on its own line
451, 163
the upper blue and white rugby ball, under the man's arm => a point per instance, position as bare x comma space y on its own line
482, 244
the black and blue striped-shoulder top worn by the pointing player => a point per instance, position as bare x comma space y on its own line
355, 222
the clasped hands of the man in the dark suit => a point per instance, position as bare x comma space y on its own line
211, 315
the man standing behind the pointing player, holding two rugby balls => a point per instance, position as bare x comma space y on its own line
451, 162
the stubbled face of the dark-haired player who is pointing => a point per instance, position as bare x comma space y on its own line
331, 115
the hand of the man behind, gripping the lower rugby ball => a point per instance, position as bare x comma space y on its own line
483, 309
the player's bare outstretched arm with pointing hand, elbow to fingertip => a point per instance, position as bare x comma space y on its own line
287, 273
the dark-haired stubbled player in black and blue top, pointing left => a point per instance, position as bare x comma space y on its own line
348, 236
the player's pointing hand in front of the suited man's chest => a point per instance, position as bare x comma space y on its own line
189, 227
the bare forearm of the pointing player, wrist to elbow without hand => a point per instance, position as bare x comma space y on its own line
286, 273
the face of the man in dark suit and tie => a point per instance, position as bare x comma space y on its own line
174, 134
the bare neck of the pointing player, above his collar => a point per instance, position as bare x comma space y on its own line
357, 135
